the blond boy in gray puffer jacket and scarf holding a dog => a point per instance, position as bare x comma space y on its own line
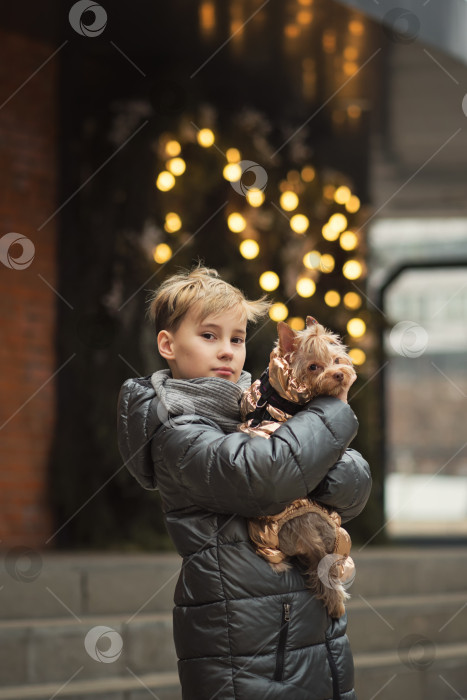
241, 631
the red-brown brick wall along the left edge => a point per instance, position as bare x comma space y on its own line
28, 131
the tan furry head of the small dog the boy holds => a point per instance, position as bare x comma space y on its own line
317, 357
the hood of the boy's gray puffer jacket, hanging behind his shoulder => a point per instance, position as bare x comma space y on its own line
137, 421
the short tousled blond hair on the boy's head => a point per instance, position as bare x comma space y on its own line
202, 286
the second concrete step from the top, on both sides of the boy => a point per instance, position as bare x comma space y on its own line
41, 651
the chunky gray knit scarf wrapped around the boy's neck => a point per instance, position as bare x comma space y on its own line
210, 397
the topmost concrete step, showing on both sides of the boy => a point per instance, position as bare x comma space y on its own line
108, 584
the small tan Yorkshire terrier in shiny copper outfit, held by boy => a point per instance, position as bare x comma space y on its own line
303, 365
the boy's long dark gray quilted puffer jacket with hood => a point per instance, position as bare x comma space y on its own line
242, 631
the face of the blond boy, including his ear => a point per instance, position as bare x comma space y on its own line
214, 347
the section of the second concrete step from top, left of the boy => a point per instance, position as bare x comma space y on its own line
51, 650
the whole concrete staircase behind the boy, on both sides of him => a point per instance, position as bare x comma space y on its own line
407, 626
